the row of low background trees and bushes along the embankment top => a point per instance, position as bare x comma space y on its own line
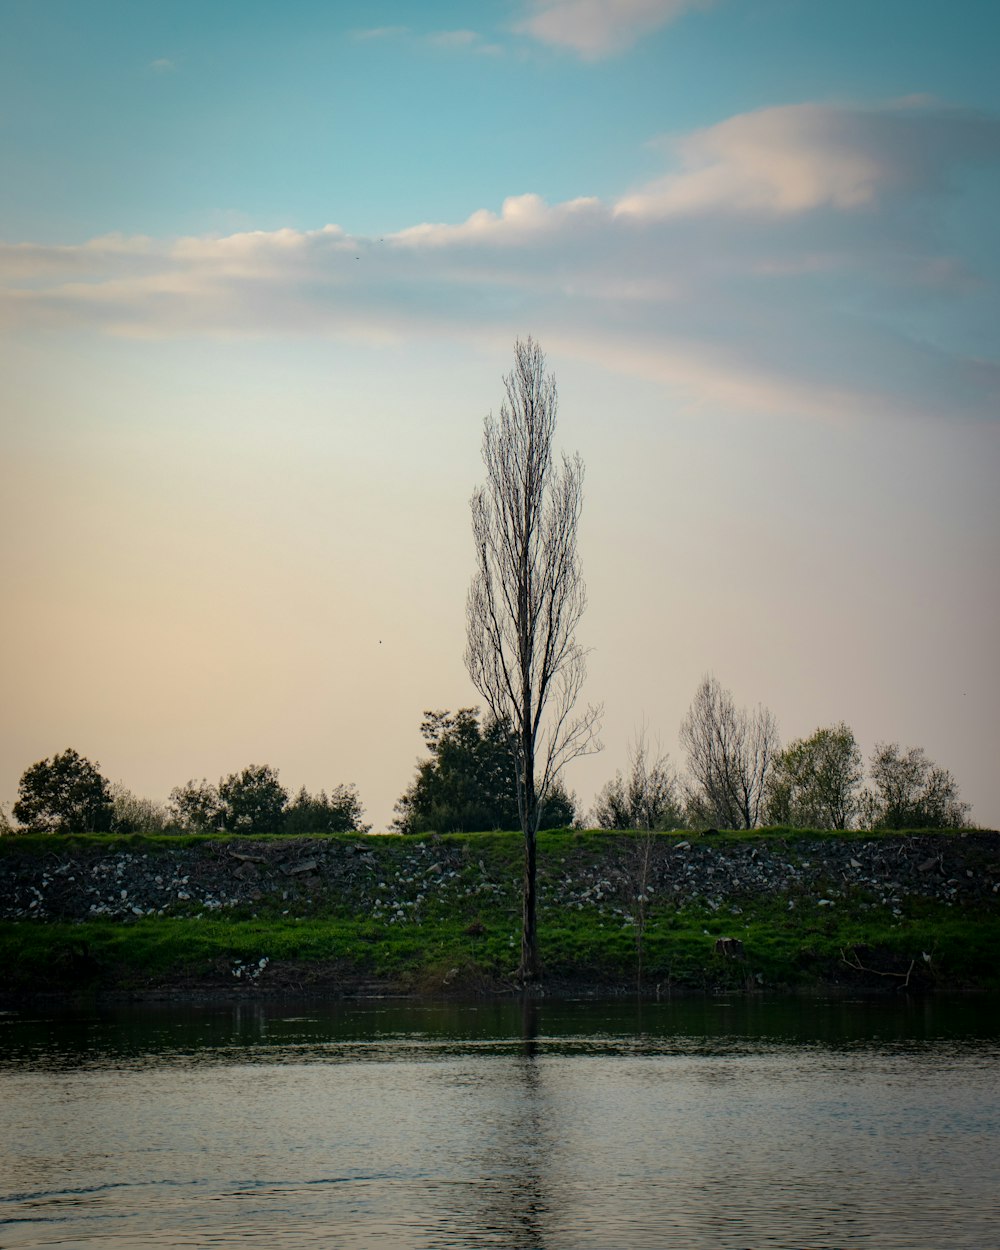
738, 777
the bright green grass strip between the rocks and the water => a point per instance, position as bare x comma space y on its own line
679, 951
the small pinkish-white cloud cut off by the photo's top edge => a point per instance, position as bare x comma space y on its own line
599, 28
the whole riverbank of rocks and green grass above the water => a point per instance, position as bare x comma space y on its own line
362, 916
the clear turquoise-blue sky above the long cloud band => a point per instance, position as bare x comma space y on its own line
174, 118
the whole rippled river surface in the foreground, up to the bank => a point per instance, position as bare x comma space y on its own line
703, 1124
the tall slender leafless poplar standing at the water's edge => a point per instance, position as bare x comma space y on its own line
526, 603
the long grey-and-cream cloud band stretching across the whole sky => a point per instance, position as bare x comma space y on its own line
779, 266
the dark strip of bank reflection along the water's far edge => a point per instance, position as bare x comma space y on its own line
309, 1031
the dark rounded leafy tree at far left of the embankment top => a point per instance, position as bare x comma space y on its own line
66, 794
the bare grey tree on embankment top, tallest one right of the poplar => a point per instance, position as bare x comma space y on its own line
731, 752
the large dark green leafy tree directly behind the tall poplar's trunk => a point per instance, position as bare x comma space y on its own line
468, 783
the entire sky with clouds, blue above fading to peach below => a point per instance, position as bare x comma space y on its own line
262, 273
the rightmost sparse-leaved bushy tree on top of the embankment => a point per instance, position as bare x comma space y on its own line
911, 792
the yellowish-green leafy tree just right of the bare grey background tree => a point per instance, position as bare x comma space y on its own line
814, 782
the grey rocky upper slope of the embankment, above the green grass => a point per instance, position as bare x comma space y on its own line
393, 879
